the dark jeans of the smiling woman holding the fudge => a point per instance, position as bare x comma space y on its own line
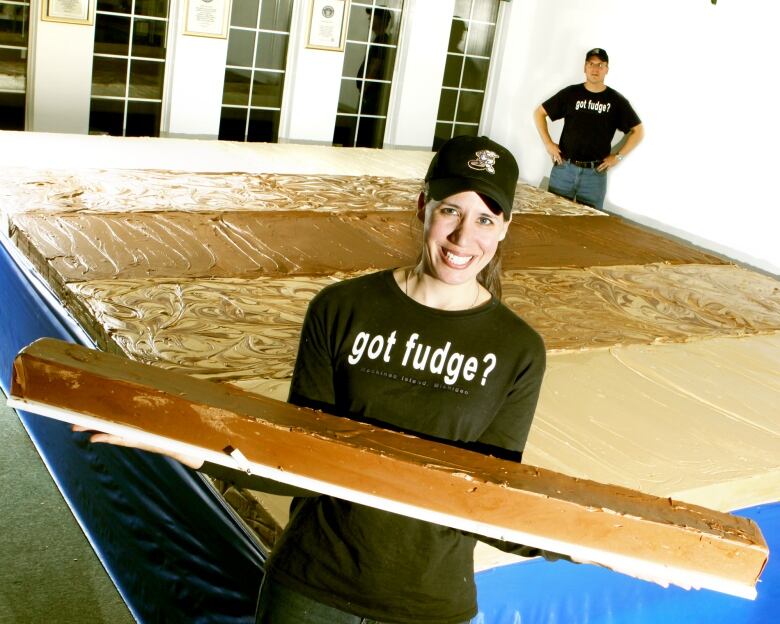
280, 605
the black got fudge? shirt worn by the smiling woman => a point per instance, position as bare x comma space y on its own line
369, 352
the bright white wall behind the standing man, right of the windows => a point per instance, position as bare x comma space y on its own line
701, 77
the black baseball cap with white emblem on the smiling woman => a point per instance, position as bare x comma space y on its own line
479, 164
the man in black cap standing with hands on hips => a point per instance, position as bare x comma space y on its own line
592, 112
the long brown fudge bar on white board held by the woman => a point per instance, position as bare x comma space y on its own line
657, 539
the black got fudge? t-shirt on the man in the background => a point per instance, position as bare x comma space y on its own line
590, 120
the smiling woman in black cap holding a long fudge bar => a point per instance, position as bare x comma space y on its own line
456, 365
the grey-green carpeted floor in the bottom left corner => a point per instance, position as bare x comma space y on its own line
49, 571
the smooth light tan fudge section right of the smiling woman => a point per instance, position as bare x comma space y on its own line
698, 420
